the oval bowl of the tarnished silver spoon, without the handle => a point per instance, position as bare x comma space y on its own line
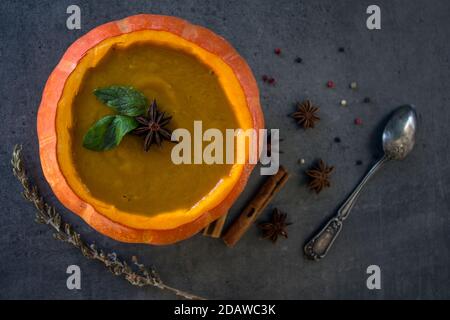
399, 135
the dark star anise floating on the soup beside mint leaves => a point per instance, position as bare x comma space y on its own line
152, 126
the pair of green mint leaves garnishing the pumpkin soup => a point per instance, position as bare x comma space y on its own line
108, 132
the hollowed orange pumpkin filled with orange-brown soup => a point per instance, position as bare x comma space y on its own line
126, 193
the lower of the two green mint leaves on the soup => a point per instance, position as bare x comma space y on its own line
107, 133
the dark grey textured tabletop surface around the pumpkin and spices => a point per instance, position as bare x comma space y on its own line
400, 223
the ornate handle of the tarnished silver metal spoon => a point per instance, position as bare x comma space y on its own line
319, 245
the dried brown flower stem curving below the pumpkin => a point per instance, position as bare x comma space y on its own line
136, 274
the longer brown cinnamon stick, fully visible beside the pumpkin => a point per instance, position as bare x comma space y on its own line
267, 191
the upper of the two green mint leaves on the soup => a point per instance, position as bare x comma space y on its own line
125, 100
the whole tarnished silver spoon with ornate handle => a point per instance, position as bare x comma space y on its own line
398, 141
